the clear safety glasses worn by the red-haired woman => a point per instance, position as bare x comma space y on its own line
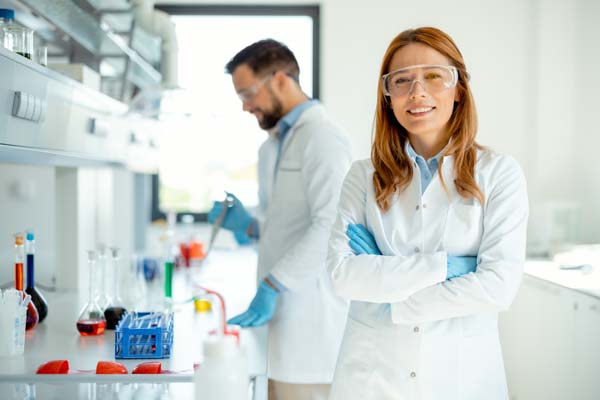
433, 78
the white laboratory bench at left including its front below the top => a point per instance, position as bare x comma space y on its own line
229, 272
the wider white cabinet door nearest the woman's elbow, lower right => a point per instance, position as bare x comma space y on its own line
538, 342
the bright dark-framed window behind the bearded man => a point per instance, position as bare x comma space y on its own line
215, 148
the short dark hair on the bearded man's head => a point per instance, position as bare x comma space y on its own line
266, 56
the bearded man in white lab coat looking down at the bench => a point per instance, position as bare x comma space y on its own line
301, 168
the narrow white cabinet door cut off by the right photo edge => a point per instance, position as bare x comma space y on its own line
587, 348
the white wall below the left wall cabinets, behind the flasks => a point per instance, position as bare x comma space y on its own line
71, 210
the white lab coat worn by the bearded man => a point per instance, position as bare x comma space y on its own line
306, 330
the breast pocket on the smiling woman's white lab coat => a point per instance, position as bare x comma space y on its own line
464, 227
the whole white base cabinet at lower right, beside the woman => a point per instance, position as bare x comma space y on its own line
551, 343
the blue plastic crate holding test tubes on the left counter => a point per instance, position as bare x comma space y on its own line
144, 335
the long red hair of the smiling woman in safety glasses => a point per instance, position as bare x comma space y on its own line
393, 169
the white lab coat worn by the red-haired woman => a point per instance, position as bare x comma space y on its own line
411, 334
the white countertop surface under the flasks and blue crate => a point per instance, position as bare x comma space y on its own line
232, 273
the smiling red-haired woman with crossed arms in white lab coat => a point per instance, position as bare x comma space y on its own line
429, 241
